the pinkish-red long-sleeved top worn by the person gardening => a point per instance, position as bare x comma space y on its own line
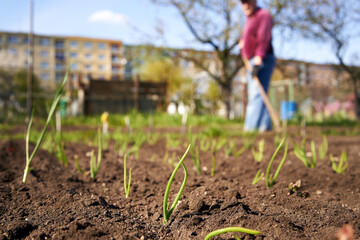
257, 34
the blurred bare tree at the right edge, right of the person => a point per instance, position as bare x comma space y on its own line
334, 22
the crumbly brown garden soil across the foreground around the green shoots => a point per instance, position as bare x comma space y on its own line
60, 203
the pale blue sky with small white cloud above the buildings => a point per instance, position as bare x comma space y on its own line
133, 22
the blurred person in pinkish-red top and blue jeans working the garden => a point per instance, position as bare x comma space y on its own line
256, 46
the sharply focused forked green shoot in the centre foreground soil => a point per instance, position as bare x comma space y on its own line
168, 211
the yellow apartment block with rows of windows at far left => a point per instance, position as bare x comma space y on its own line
90, 58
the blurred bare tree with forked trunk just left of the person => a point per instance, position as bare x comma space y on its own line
217, 24
